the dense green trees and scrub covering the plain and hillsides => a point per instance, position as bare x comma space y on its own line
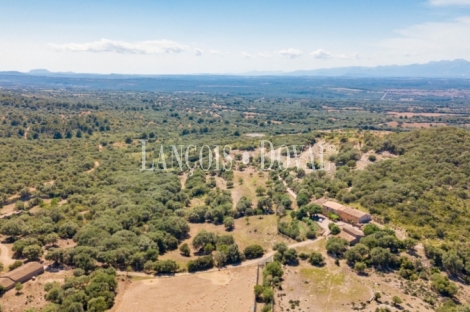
70, 163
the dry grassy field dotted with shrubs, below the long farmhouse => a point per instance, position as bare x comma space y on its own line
338, 288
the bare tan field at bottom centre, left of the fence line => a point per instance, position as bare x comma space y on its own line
225, 290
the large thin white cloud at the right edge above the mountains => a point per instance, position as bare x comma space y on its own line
432, 41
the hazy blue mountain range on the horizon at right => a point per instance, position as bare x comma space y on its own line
441, 69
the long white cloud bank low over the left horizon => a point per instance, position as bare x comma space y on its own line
106, 45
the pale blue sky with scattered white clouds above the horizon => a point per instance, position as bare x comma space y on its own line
225, 36
